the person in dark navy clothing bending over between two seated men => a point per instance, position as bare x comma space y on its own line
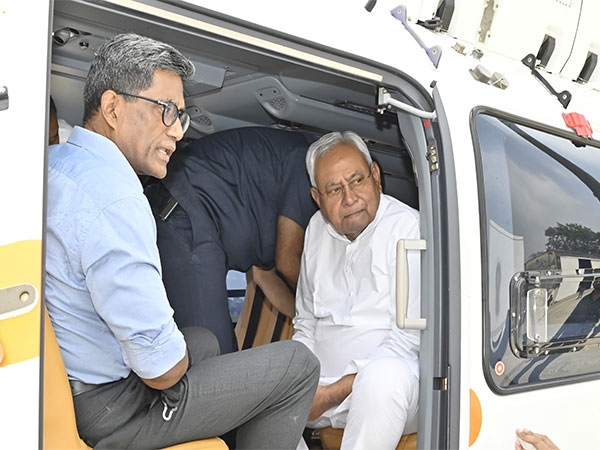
234, 200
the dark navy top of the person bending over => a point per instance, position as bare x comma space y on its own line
234, 184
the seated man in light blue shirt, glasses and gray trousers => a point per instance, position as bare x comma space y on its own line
137, 380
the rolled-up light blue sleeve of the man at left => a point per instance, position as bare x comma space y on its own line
122, 271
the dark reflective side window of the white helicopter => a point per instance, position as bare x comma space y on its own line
540, 201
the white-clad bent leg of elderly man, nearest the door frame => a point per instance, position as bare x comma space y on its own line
384, 406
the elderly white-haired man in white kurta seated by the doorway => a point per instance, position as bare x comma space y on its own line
345, 301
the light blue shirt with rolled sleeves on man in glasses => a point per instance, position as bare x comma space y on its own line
103, 288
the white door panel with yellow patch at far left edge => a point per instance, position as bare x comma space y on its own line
23, 124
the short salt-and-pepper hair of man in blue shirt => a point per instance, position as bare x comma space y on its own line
127, 63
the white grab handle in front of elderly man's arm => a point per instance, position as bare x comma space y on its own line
402, 320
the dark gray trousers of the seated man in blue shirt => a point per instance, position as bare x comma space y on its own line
265, 393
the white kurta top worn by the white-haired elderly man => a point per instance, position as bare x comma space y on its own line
345, 301
